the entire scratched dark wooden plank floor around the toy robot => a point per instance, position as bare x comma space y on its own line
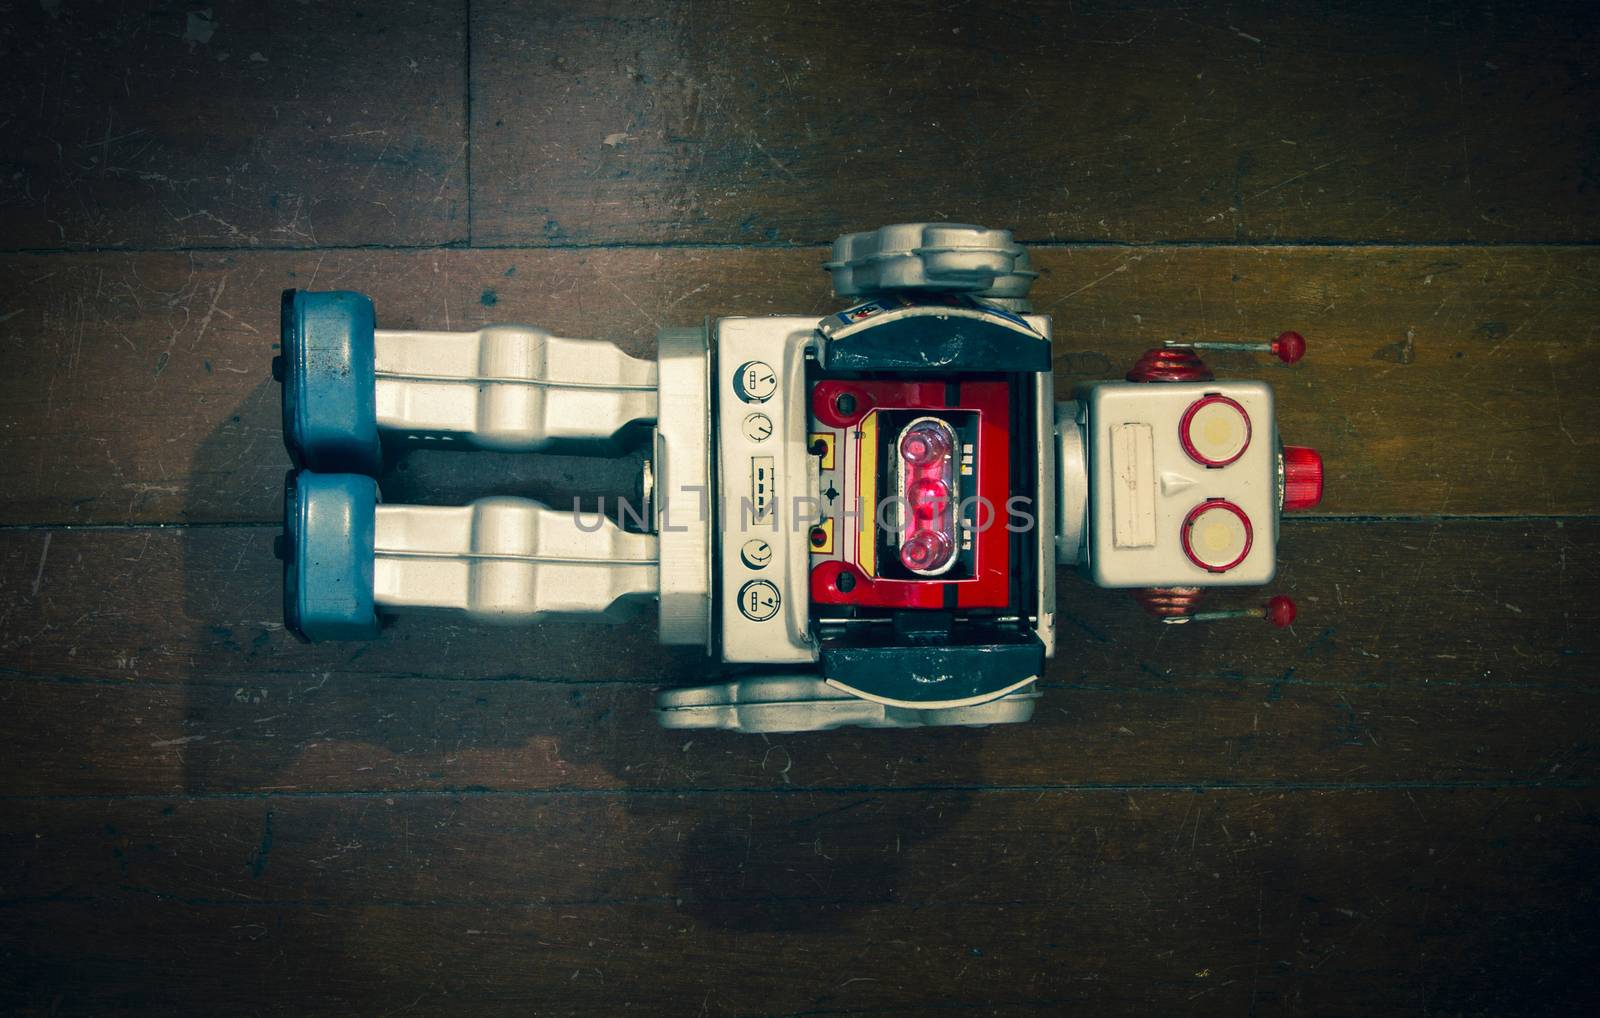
1393, 809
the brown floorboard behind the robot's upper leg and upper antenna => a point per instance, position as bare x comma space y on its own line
1439, 380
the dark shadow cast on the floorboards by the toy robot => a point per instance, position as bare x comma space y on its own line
394, 713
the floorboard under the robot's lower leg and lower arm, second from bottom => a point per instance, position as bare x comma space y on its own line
154, 663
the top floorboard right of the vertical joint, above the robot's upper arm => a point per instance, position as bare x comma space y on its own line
1266, 122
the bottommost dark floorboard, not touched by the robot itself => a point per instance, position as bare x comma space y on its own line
1358, 902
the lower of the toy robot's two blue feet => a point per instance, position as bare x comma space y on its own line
329, 556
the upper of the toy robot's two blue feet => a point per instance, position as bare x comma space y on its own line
330, 411
